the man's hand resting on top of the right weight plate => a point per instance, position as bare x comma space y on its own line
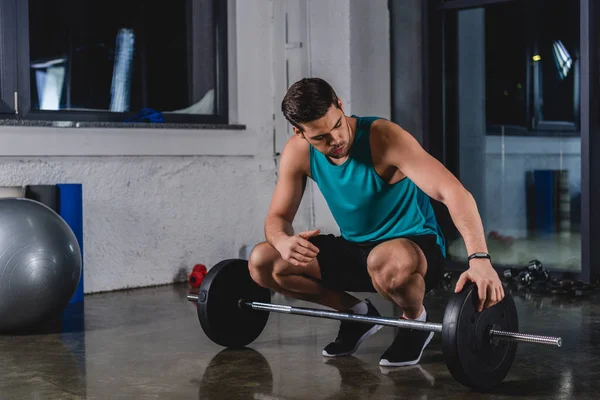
488, 283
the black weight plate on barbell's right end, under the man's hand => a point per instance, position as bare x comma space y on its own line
470, 356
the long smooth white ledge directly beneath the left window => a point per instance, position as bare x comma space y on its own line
34, 138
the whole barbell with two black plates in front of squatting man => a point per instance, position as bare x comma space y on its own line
478, 347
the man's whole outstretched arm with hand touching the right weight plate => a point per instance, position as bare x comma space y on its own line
403, 151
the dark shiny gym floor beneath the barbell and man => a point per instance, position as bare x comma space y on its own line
147, 344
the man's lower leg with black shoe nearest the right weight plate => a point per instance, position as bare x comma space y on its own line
397, 268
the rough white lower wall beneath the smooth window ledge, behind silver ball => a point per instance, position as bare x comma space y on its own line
146, 218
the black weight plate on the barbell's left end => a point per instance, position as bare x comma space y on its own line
222, 320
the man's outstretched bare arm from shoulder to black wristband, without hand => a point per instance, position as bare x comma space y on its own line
403, 151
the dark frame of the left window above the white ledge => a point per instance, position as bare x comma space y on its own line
15, 89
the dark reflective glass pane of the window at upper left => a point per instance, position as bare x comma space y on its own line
122, 55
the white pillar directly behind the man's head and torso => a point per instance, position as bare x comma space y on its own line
350, 49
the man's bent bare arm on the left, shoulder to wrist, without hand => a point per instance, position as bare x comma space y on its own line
288, 191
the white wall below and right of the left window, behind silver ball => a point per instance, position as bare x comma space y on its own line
157, 201
